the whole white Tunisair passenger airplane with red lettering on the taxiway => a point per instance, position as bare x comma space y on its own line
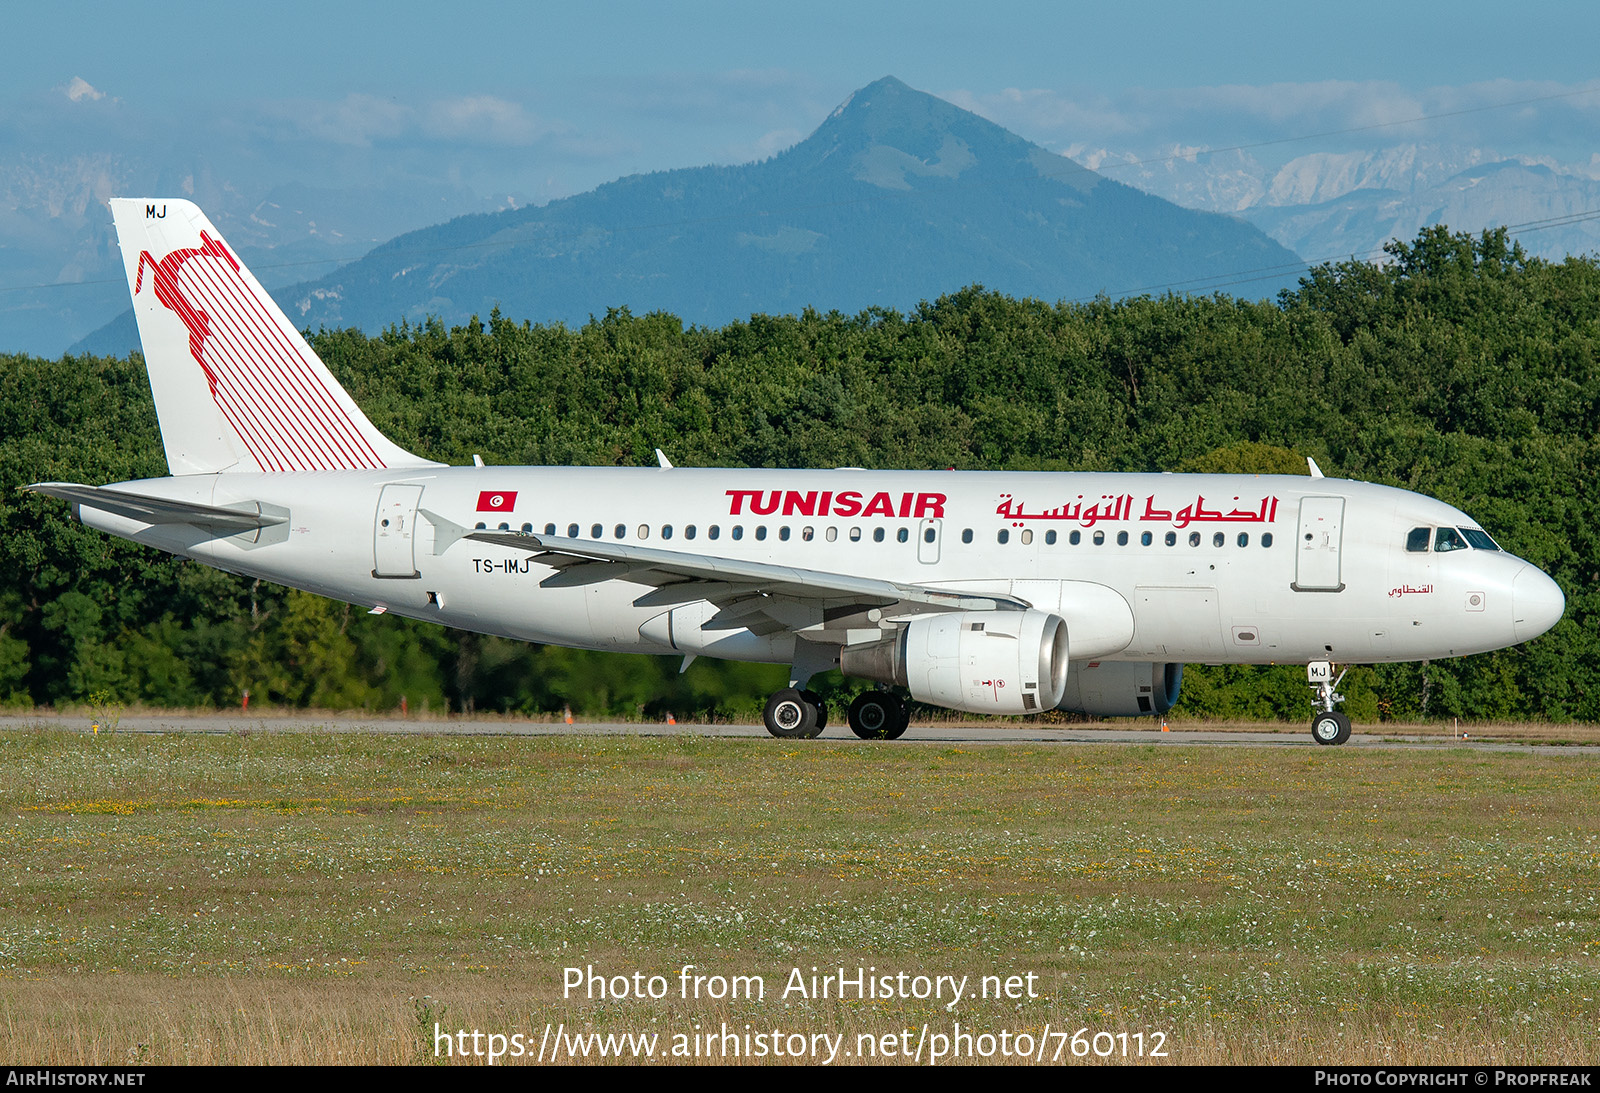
988, 593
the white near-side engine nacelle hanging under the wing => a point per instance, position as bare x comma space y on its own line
975, 662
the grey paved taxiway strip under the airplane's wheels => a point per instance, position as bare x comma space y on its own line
934, 734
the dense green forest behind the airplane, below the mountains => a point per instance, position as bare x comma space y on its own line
1460, 367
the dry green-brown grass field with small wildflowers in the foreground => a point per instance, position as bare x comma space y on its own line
308, 899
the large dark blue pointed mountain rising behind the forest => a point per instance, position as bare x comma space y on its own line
895, 199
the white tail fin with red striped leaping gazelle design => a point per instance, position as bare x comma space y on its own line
236, 386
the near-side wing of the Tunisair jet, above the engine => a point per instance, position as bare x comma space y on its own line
753, 596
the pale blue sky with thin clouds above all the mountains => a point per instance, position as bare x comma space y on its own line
550, 100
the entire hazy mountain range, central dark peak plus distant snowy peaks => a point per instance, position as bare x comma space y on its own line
894, 199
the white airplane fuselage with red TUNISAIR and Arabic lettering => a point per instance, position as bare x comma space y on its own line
1143, 567
